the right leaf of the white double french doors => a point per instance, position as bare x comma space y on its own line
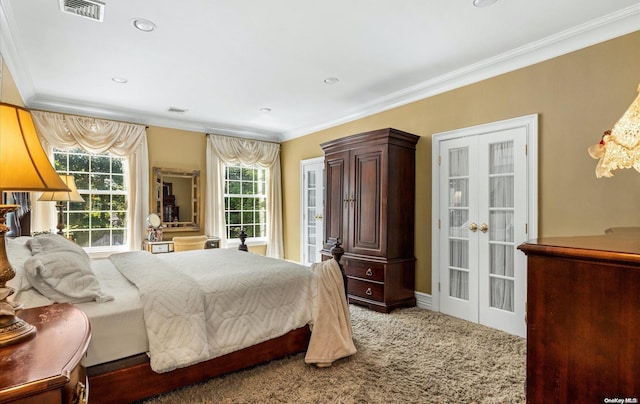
502, 206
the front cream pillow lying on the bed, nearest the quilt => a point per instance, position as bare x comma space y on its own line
64, 277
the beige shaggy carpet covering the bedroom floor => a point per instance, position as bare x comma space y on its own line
409, 356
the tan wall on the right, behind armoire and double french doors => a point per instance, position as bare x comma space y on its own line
577, 97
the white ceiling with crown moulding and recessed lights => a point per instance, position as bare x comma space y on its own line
224, 60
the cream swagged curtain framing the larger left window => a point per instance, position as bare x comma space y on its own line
100, 136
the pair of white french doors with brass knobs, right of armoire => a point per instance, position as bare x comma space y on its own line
483, 198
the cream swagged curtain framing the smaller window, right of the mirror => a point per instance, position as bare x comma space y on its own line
223, 150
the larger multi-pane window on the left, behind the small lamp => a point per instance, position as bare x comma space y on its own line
101, 220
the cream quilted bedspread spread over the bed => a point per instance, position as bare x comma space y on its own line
244, 299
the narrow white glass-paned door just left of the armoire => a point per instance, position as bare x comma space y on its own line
312, 208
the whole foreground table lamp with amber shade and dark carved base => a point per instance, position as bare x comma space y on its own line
24, 166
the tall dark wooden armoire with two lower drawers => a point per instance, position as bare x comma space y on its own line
369, 207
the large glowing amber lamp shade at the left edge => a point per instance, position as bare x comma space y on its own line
24, 166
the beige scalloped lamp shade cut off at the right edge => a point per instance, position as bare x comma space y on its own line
620, 147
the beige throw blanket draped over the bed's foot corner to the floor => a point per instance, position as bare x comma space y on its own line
331, 336
